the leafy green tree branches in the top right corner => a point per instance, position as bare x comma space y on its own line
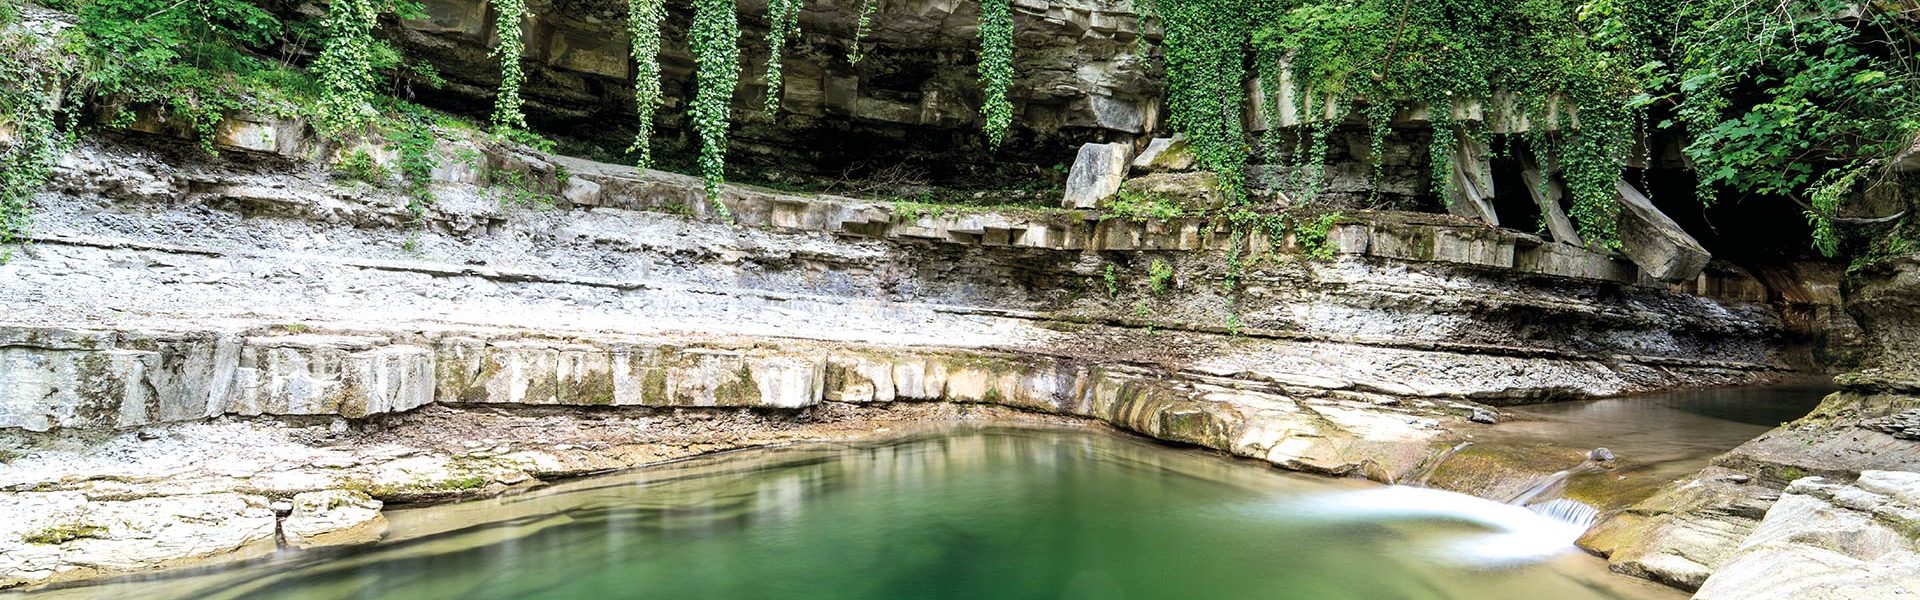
1779, 97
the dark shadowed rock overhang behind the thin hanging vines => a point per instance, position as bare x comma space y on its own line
1084, 70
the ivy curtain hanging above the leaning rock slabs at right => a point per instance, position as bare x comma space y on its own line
1387, 55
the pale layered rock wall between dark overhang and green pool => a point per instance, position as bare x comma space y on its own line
222, 336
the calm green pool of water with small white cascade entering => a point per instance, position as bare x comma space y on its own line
951, 514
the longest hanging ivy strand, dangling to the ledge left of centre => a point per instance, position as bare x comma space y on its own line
715, 41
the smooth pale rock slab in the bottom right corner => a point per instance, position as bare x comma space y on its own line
1825, 539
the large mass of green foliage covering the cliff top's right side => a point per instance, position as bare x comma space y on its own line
1794, 101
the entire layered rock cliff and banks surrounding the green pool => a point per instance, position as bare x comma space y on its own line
214, 357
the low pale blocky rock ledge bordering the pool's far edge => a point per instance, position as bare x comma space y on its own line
231, 470
